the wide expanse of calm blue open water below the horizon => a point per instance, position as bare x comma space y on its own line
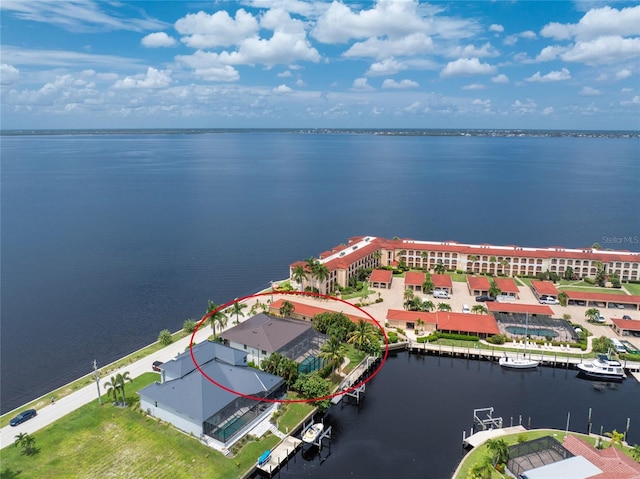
107, 239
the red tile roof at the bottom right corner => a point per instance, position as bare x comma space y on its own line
611, 461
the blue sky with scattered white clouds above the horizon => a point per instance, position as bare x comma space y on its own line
309, 64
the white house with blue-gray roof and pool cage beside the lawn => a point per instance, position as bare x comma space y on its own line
194, 404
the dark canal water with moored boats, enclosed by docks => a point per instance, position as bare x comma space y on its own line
411, 421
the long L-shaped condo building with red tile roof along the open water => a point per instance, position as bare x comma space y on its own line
344, 261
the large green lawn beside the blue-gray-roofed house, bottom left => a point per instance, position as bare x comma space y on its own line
107, 441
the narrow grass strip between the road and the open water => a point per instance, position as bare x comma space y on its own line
87, 380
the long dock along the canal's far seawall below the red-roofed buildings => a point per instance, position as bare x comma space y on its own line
546, 357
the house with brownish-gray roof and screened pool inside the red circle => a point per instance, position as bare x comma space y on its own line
262, 334
